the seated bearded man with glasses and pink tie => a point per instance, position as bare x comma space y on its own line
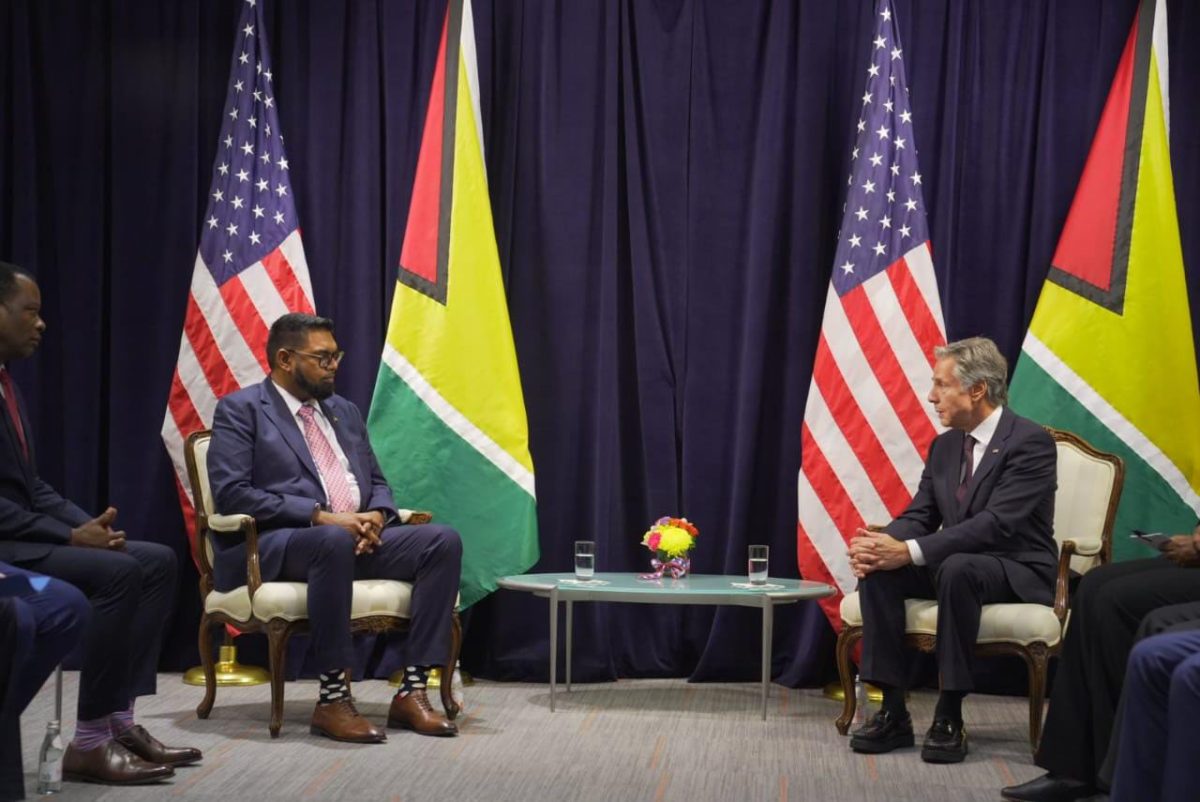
297, 458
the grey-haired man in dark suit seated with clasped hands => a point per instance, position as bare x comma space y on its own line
979, 531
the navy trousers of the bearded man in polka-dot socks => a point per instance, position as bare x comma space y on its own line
429, 556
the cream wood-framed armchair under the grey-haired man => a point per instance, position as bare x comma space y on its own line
1085, 506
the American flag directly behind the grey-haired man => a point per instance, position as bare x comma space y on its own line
867, 426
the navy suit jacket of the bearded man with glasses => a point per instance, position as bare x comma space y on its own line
260, 465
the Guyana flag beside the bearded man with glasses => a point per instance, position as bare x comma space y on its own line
448, 420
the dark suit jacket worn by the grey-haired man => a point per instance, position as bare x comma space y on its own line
1009, 511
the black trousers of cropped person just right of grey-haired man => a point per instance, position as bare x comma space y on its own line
1107, 612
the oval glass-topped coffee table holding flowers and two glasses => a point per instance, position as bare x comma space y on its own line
697, 589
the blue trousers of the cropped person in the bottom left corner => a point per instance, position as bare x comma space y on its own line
37, 632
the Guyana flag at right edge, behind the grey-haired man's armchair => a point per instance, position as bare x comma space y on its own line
1109, 355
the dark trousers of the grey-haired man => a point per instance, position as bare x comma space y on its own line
962, 585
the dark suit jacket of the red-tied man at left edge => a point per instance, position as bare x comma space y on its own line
34, 518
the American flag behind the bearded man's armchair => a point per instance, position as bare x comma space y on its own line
250, 268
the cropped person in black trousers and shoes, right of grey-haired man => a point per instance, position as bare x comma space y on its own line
1115, 607
